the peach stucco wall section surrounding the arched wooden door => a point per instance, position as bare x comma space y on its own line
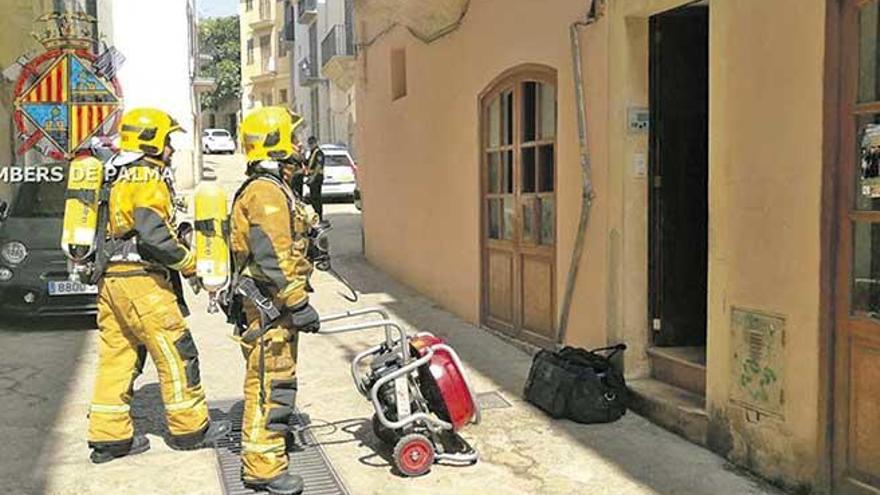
420, 155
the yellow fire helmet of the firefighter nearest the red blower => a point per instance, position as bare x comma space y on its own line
268, 133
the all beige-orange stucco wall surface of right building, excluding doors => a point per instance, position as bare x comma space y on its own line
419, 159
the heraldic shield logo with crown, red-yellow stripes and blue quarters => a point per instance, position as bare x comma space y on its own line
69, 94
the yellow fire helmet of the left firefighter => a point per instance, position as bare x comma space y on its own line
144, 130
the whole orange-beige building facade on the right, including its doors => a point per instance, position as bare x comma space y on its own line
719, 157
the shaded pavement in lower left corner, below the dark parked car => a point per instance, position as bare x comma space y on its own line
38, 360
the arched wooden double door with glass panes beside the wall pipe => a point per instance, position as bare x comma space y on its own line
518, 195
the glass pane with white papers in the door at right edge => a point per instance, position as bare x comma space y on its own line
867, 194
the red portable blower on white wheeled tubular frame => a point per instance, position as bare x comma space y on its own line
421, 395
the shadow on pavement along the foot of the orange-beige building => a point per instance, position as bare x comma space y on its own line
630, 444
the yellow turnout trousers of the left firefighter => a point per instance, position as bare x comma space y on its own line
138, 314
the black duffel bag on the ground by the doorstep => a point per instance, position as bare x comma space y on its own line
577, 384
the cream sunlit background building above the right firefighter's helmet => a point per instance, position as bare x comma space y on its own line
266, 58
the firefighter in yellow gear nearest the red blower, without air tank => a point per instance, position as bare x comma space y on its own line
269, 240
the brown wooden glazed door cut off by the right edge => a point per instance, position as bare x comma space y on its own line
856, 398
